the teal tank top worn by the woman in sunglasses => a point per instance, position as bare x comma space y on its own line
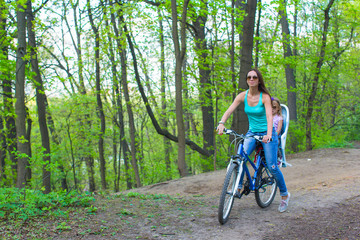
256, 115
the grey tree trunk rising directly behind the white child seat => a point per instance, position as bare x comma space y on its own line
289, 70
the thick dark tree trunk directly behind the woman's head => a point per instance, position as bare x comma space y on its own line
240, 120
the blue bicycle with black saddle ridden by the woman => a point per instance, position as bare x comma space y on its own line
238, 180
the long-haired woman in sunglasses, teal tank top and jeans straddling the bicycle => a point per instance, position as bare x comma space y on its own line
258, 108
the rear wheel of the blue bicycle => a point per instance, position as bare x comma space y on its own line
266, 187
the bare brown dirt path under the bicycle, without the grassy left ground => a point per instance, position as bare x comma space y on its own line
325, 201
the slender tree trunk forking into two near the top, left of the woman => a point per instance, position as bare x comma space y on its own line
180, 51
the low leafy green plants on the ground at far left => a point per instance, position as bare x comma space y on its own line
23, 204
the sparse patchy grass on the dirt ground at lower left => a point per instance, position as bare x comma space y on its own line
109, 216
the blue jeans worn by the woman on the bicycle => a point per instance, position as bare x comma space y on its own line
270, 150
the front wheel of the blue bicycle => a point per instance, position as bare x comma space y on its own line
227, 194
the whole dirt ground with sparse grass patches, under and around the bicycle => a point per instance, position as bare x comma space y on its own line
325, 204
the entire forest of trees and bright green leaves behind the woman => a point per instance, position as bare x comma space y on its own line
108, 95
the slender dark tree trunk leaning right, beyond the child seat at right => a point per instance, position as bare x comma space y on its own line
315, 82
